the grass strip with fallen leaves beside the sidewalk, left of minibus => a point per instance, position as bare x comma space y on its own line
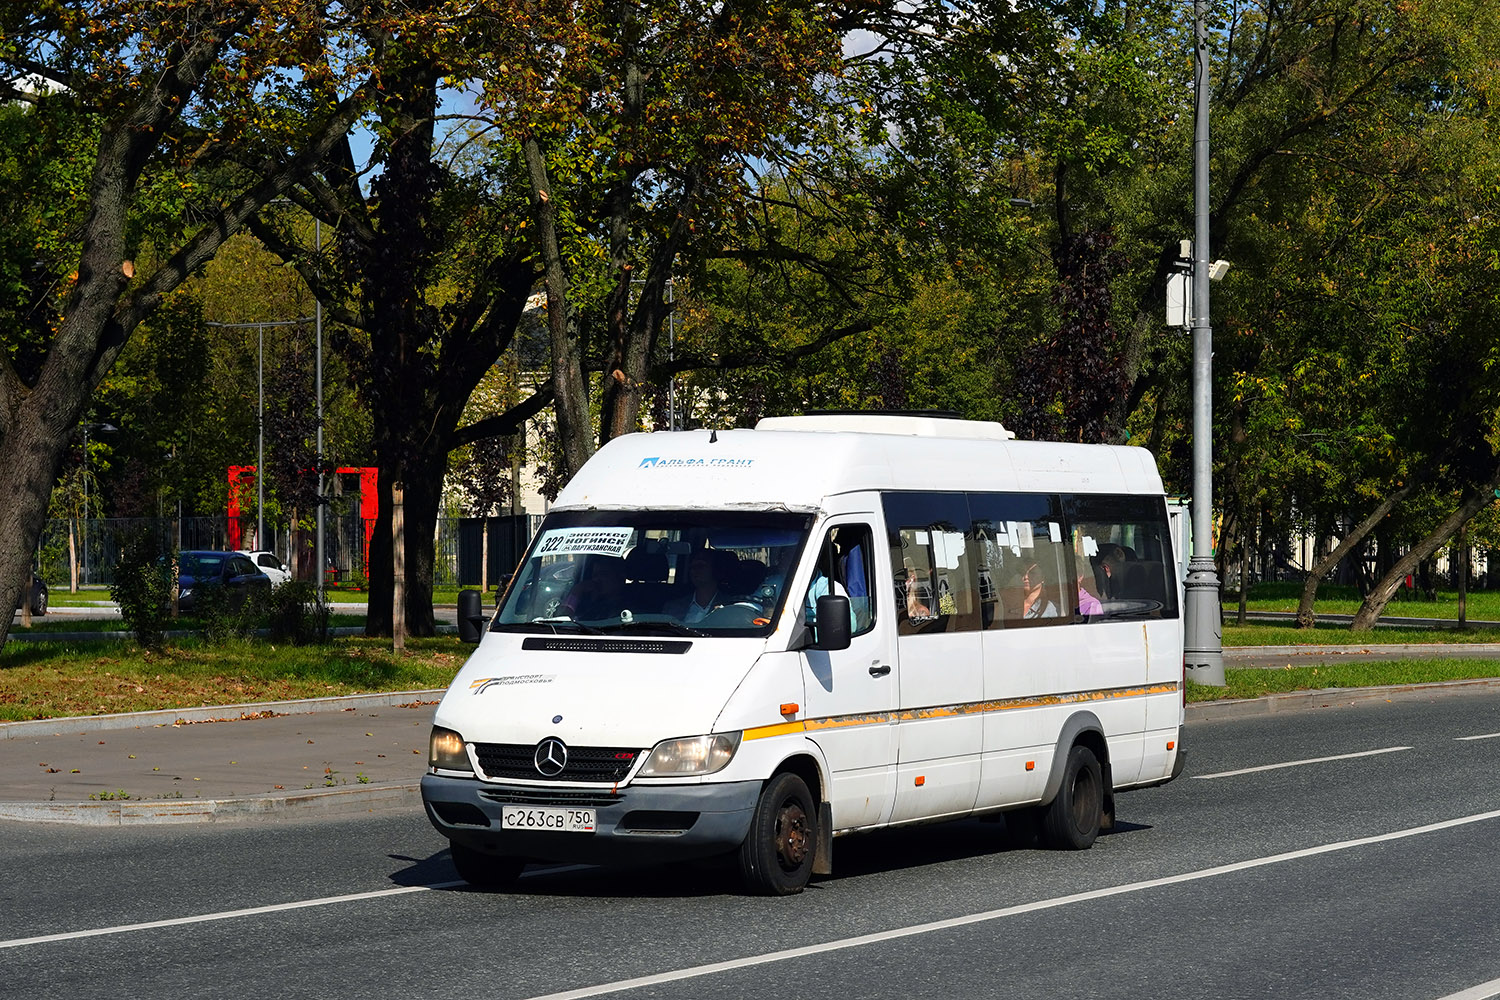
92, 678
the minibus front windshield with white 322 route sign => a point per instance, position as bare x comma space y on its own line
656, 573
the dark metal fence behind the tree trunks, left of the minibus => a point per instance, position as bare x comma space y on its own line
95, 546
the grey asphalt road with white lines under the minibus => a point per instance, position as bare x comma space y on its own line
1282, 866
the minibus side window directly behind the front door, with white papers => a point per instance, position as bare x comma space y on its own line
935, 582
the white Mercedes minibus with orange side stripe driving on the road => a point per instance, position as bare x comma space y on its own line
752, 642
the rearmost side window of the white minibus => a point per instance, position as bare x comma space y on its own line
1126, 557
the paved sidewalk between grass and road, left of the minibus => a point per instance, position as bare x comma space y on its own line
220, 764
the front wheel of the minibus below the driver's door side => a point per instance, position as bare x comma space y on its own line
778, 855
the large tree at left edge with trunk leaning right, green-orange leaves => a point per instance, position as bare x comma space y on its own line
160, 91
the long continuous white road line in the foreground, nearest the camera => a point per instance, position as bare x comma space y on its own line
1015, 911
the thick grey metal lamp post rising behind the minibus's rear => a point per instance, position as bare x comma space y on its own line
1204, 650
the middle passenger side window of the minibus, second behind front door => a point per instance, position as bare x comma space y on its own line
1027, 572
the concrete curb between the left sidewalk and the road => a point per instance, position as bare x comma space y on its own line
163, 812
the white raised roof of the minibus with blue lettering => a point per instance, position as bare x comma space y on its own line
797, 463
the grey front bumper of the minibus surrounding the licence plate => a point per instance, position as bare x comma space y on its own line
637, 824
